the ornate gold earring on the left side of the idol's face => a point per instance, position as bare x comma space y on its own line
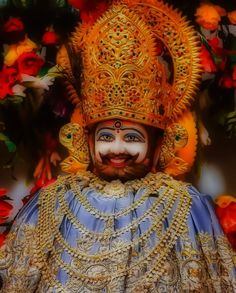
74, 138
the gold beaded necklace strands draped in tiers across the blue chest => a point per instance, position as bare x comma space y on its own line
48, 227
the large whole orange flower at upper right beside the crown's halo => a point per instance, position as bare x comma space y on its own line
208, 16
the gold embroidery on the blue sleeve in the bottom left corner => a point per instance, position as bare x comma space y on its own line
22, 265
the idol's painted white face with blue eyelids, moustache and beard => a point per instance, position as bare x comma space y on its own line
120, 150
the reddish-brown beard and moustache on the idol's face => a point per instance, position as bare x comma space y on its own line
130, 171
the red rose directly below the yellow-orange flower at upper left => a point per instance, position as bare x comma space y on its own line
29, 63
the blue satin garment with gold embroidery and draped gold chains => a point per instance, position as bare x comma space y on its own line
82, 234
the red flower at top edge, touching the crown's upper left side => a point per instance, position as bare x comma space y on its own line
90, 10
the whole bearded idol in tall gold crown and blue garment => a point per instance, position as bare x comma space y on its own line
118, 222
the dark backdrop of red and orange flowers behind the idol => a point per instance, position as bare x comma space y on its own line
34, 104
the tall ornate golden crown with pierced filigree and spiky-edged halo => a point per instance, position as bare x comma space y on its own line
122, 75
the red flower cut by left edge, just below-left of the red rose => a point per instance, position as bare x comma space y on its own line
8, 77
